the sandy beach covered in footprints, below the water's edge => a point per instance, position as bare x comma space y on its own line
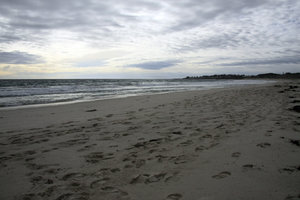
233, 143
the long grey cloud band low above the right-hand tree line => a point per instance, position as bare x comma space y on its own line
275, 61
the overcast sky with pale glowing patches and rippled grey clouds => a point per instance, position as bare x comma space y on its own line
147, 38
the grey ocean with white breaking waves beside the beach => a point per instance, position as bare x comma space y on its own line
49, 91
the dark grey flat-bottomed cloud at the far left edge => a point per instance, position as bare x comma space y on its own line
17, 57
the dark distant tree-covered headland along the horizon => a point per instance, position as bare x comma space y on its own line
242, 76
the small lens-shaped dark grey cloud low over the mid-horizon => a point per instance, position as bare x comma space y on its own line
156, 65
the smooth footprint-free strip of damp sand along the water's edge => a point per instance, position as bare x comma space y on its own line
55, 113
